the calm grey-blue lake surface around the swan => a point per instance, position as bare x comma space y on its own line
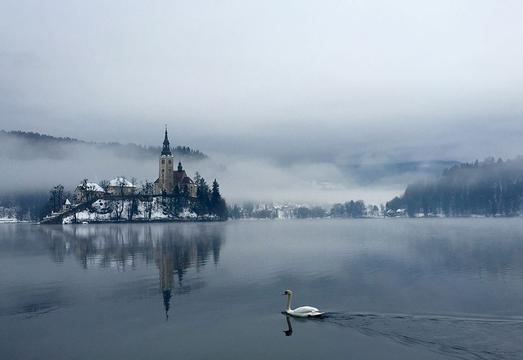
393, 289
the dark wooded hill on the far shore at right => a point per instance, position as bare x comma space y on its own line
487, 188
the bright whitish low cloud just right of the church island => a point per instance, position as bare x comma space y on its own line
263, 180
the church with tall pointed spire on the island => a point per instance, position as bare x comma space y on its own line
168, 178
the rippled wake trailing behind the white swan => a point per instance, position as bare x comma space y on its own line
461, 337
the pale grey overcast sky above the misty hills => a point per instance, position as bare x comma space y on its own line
285, 80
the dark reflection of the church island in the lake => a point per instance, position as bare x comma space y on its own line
174, 248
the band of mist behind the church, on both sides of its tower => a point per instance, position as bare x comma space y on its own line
38, 167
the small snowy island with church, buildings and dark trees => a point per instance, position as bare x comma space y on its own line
173, 196
